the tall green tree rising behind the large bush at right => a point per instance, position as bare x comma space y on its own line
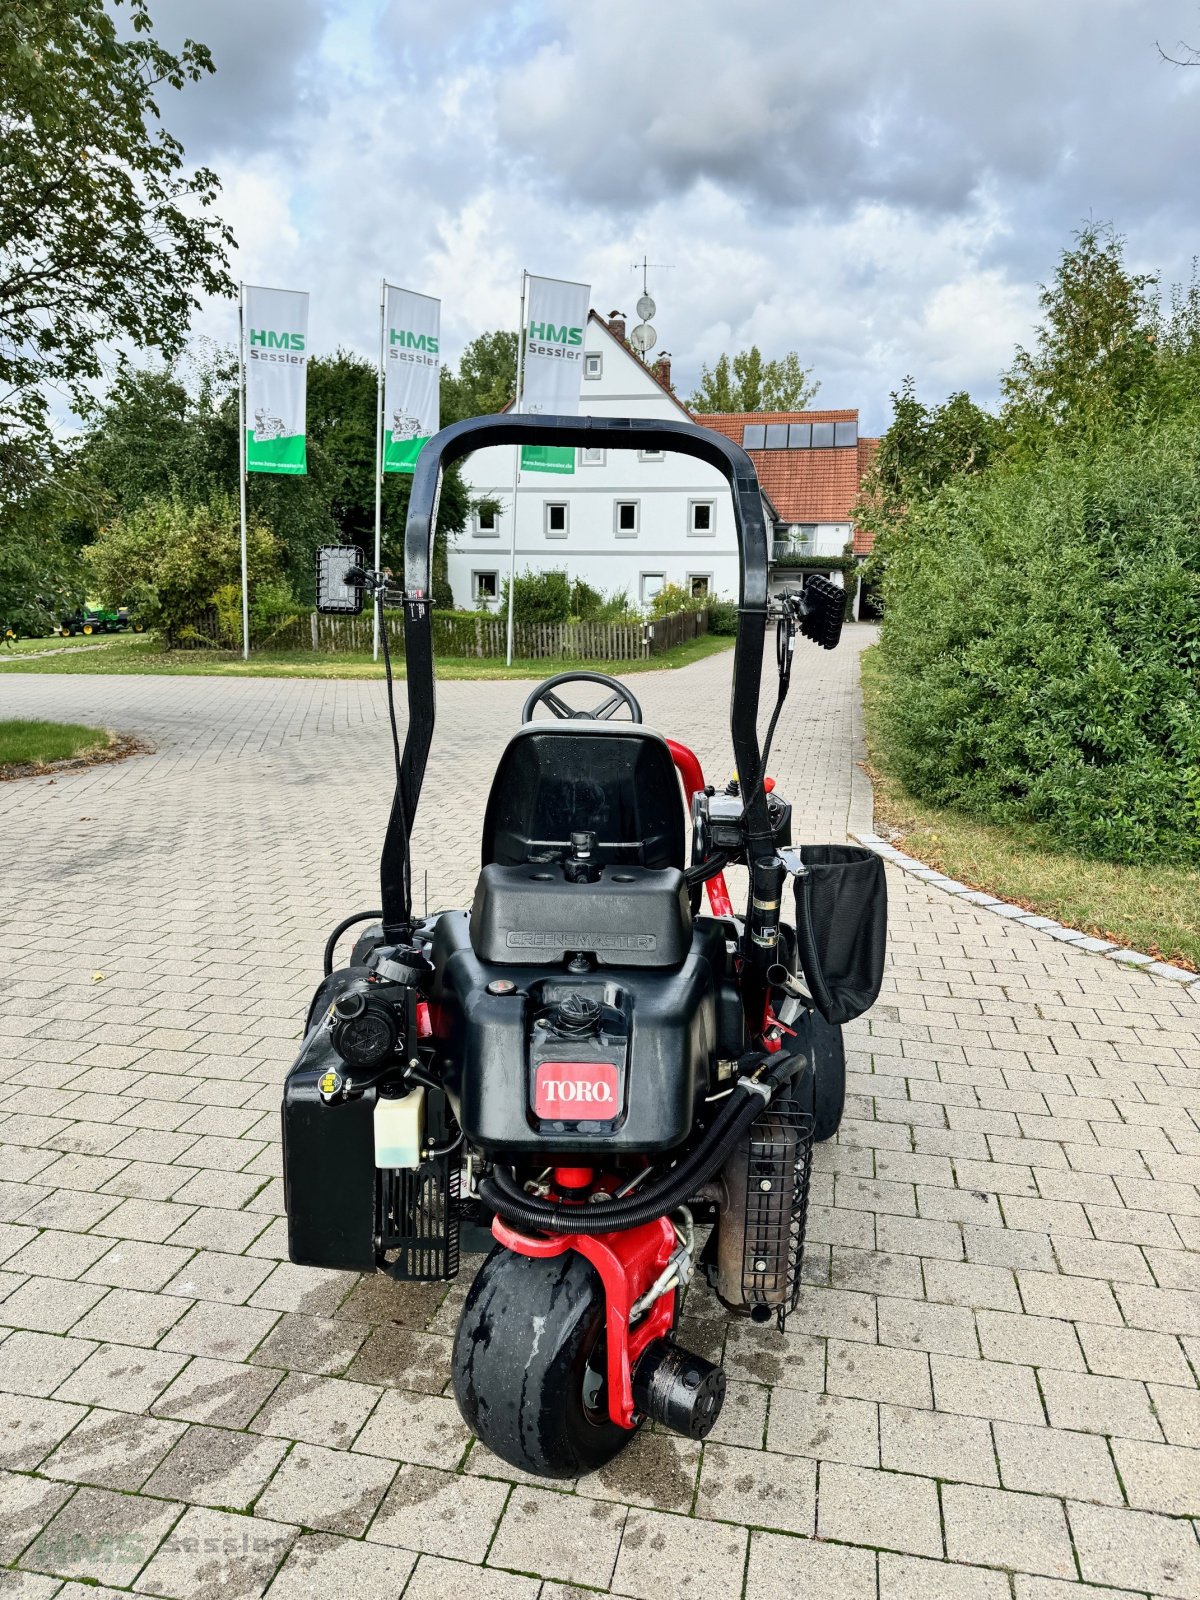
1095, 351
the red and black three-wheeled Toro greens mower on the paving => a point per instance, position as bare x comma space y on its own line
609, 1087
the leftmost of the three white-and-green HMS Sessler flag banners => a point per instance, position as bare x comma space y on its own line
278, 367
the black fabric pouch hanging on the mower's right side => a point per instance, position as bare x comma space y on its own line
842, 929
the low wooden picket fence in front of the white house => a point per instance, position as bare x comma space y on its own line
487, 636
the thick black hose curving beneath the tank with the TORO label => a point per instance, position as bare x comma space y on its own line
505, 1196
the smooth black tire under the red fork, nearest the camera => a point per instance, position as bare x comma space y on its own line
529, 1366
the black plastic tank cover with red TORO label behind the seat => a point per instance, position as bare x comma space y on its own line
529, 1081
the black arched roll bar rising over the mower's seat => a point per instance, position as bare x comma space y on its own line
484, 433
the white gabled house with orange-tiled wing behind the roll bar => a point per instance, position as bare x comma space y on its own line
634, 521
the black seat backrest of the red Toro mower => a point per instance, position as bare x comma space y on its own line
614, 780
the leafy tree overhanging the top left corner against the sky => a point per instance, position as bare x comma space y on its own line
103, 233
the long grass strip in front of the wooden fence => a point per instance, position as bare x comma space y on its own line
145, 657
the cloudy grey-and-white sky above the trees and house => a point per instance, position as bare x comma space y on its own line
879, 186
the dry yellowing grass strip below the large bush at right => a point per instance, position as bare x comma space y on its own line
1153, 910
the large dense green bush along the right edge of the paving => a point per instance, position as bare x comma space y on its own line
1042, 646
